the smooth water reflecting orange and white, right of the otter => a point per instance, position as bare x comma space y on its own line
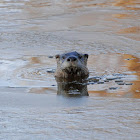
126, 83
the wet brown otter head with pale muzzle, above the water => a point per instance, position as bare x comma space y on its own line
72, 64
